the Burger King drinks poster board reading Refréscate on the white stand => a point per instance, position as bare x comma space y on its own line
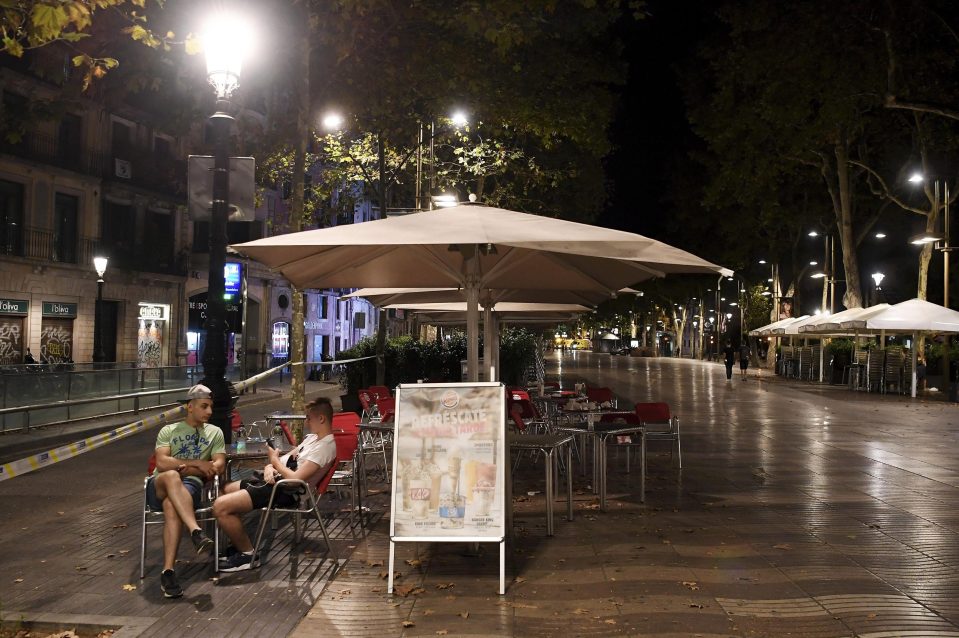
449, 462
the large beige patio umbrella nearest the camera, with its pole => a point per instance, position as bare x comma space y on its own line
471, 247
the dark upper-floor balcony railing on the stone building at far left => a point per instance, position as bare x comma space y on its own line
136, 166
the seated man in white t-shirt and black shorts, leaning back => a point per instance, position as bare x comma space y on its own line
313, 459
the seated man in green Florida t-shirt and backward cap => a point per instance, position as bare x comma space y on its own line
188, 454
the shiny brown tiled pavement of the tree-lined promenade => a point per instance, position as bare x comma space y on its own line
801, 511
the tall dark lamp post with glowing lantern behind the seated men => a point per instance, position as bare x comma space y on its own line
224, 42
